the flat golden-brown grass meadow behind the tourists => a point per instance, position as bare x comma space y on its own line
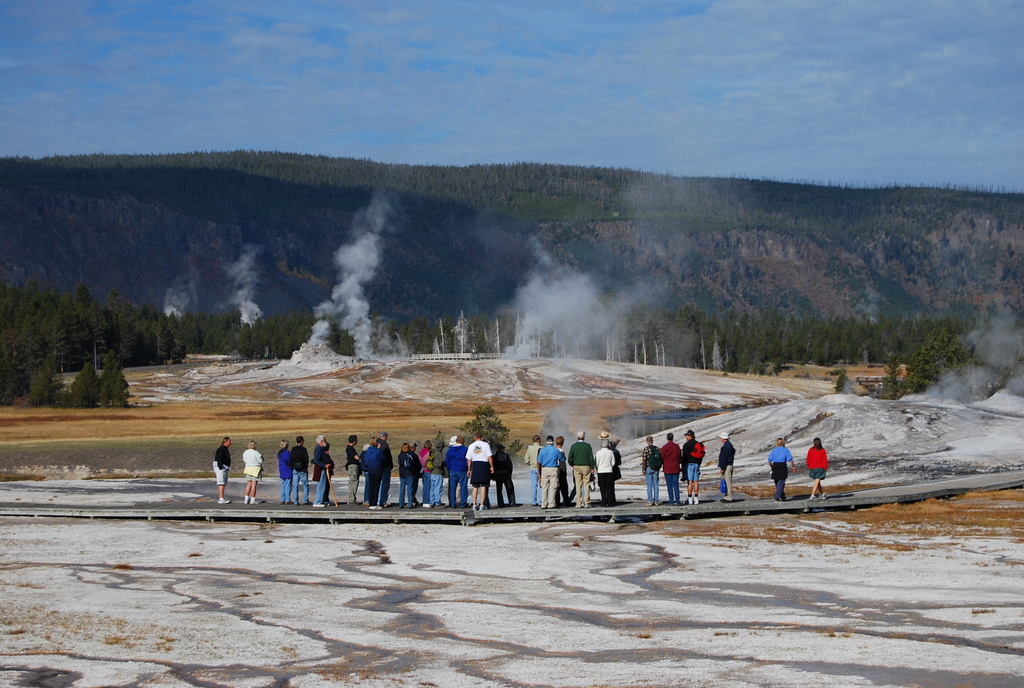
181, 439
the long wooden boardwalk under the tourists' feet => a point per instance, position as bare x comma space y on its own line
627, 511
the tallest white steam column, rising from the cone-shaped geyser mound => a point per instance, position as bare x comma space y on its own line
357, 264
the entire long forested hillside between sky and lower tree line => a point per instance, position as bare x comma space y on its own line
167, 231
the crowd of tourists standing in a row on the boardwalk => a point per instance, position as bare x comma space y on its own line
470, 470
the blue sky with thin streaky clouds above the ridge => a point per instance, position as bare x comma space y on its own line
866, 93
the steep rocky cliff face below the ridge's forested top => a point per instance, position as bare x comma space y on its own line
434, 263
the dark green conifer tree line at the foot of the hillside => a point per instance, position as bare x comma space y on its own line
48, 336
